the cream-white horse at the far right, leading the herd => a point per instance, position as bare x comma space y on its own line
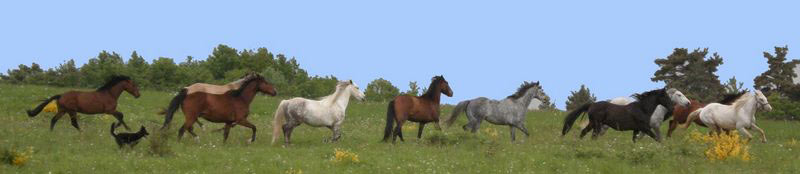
740, 115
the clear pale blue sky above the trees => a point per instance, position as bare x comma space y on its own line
482, 48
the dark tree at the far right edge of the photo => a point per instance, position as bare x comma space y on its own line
780, 74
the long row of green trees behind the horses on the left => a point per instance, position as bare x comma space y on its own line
225, 64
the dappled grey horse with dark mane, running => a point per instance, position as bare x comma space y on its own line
509, 111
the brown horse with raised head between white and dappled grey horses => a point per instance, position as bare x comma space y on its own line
422, 109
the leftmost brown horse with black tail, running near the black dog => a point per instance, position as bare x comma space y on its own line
101, 101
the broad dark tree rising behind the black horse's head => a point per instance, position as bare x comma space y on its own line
692, 73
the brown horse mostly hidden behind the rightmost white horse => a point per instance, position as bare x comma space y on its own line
680, 113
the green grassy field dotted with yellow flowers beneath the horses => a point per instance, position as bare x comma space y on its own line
65, 150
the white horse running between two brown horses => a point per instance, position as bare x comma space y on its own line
329, 112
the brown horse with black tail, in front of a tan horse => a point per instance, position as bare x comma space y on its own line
231, 108
